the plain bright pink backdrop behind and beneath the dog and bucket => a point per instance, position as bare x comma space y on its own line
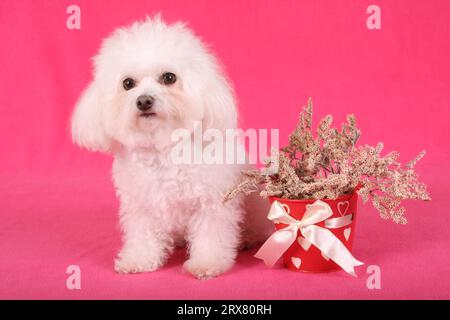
57, 204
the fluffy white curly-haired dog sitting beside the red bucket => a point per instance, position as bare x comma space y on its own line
151, 79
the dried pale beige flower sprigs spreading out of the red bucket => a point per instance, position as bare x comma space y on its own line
331, 164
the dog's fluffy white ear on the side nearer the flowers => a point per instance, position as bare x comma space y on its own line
220, 105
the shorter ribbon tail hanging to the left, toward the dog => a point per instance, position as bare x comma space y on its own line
276, 245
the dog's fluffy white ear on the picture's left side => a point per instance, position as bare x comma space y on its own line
87, 128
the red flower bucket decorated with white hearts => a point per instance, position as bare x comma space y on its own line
304, 256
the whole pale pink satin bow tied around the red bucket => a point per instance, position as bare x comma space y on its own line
322, 238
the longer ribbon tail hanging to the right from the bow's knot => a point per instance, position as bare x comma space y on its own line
327, 242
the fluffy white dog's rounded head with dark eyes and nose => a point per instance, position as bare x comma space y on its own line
150, 79
